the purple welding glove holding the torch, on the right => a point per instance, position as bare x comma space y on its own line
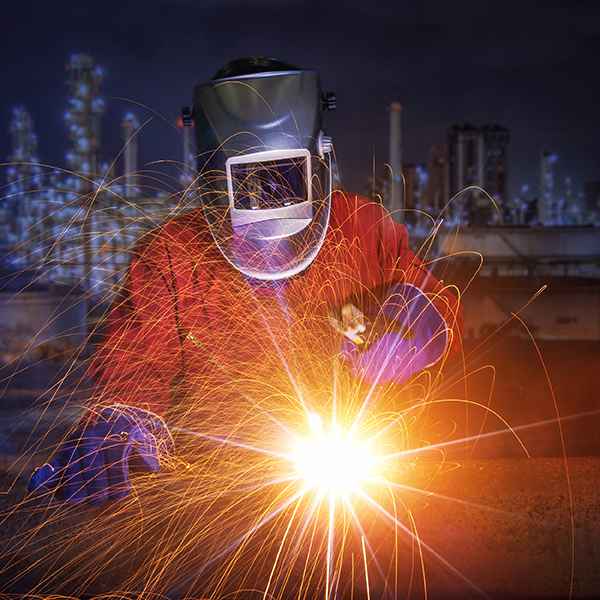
404, 334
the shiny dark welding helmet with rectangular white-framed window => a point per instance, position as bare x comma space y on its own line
264, 165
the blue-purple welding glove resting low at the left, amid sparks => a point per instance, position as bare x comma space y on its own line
94, 463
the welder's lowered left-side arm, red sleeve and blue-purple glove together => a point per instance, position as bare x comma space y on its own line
139, 356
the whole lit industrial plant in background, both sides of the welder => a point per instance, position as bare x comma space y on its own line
69, 230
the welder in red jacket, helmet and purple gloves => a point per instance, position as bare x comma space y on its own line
276, 276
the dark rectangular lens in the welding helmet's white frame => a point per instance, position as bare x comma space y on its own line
269, 184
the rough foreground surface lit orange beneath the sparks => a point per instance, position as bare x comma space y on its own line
512, 528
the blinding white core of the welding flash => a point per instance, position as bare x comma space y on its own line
331, 463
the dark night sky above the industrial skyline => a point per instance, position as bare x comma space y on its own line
532, 66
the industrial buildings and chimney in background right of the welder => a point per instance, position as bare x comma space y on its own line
500, 251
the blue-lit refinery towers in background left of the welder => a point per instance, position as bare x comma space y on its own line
75, 225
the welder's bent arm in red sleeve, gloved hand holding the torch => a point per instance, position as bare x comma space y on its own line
409, 319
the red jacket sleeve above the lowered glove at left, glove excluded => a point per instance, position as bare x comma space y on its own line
140, 354
